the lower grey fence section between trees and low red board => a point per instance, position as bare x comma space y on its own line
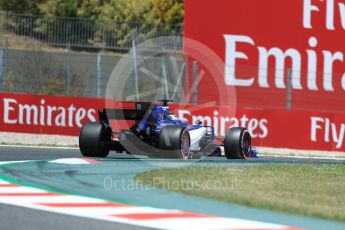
69, 73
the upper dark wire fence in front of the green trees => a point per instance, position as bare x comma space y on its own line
87, 33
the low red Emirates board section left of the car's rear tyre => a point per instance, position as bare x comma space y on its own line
46, 114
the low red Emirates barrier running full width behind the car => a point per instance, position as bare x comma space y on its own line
272, 128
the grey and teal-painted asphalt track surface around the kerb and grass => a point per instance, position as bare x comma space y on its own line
89, 180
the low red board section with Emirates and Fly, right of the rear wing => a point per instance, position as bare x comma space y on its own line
276, 128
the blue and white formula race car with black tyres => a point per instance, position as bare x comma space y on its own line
157, 132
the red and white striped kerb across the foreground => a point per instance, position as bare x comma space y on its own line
111, 211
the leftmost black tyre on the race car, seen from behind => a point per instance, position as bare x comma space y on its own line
94, 141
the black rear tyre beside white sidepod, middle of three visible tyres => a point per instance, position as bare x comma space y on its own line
175, 140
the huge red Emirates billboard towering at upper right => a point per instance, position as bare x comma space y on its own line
261, 43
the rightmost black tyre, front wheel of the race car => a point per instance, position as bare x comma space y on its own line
237, 143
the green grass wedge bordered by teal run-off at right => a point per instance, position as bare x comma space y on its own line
311, 190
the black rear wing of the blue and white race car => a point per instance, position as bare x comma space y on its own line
137, 113
